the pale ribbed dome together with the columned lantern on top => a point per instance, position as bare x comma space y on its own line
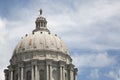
41, 39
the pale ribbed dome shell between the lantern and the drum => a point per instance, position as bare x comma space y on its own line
41, 40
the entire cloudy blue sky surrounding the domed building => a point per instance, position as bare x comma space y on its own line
90, 29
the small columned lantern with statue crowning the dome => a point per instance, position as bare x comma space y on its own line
41, 23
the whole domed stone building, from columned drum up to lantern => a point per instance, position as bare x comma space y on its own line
41, 55
